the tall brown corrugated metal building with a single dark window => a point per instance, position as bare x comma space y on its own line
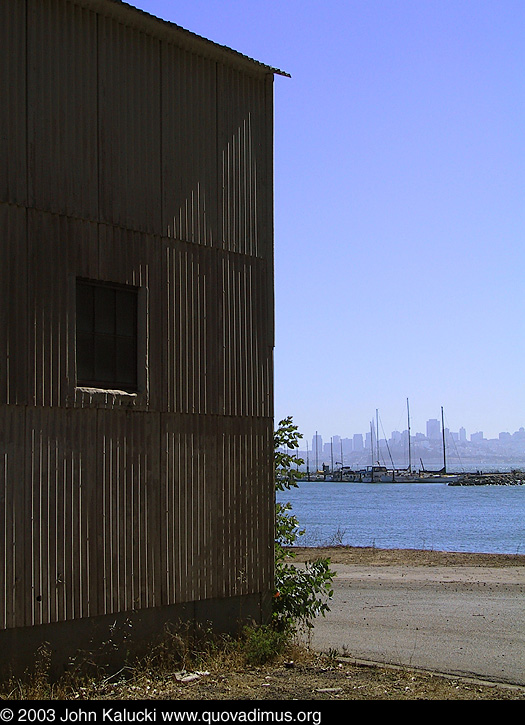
136, 325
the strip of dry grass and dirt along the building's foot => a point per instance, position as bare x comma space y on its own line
220, 671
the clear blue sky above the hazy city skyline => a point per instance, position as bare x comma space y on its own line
399, 205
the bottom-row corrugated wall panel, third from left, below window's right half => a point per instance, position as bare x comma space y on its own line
128, 448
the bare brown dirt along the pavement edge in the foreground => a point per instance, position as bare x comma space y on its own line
311, 677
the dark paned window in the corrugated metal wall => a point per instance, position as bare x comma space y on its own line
106, 331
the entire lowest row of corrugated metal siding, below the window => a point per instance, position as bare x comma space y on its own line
112, 511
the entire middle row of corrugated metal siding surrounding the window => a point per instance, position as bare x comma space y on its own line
205, 315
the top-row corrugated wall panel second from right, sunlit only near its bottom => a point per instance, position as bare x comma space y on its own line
189, 146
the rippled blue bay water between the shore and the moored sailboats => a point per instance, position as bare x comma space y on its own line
434, 516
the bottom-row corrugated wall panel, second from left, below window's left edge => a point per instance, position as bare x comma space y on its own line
55, 574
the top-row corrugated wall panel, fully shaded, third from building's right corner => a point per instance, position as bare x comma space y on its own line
129, 127
